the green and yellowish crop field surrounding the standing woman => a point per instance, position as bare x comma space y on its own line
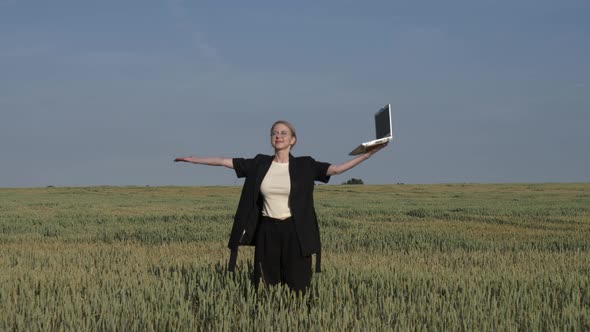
420, 257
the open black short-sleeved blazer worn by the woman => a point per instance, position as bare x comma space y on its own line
303, 171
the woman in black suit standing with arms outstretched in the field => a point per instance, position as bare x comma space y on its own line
276, 211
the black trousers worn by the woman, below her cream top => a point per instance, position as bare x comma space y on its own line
278, 258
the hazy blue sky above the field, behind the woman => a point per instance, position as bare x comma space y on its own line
109, 92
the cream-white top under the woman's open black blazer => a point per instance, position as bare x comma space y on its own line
275, 189
